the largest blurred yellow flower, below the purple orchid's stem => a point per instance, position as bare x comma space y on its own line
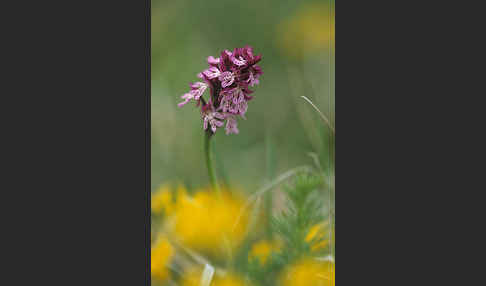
208, 222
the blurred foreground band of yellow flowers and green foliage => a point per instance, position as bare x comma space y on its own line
224, 230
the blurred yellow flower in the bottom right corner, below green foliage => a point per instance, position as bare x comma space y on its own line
309, 272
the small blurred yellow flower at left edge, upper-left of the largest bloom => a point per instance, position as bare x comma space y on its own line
163, 200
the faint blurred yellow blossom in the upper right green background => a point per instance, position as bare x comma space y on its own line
310, 29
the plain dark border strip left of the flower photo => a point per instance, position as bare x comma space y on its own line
73, 154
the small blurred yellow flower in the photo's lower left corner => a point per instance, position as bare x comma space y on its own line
161, 255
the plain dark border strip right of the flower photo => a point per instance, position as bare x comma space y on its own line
408, 210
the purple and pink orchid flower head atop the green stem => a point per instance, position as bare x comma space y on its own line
228, 78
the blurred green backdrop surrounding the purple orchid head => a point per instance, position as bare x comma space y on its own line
296, 40
